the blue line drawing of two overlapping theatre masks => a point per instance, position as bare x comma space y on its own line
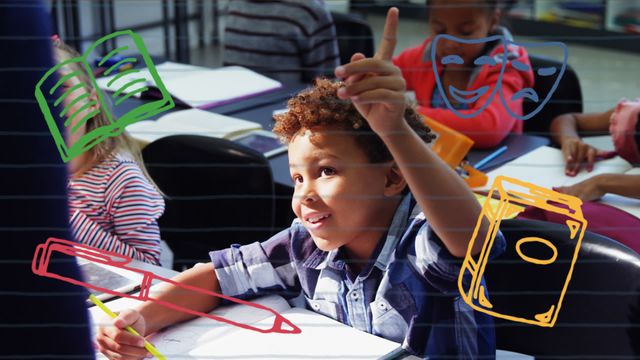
487, 93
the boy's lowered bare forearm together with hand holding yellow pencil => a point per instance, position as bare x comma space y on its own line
115, 341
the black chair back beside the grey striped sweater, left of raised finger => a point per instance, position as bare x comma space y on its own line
354, 35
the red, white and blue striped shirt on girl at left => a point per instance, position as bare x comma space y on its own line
113, 207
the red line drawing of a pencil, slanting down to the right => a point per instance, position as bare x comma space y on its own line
43, 254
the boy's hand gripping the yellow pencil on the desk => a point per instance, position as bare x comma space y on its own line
116, 342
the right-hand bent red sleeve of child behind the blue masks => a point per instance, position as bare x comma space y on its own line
494, 123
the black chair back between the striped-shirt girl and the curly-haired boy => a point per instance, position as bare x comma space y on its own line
217, 193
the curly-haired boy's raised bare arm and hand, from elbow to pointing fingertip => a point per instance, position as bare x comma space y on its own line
377, 89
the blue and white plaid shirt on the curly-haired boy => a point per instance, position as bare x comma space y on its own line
406, 293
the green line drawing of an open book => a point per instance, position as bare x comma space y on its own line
48, 85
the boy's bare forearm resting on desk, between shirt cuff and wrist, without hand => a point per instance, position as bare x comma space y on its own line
157, 316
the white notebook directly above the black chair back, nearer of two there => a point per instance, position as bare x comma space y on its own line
191, 122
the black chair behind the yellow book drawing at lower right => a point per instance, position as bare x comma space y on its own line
600, 314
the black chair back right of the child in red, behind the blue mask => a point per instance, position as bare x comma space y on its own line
566, 99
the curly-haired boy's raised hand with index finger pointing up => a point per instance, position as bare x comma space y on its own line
375, 85
